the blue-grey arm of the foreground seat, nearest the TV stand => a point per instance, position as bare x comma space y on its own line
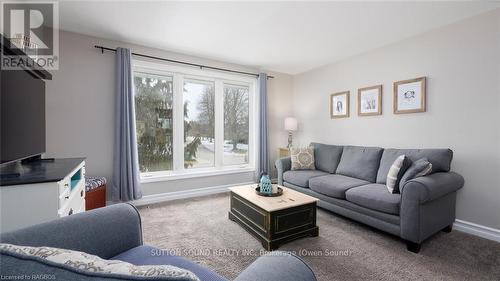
104, 232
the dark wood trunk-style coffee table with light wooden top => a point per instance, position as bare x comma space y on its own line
274, 220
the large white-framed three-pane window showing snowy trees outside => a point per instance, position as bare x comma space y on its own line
193, 121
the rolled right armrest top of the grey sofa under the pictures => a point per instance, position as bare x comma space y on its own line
431, 187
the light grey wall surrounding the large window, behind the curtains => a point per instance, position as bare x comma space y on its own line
80, 108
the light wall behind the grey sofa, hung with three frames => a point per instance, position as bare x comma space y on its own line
461, 62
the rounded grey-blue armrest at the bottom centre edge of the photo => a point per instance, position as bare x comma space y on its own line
277, 265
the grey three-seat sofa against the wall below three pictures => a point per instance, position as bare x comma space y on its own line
350, 181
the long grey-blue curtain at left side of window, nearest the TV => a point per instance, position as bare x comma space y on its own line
125, 182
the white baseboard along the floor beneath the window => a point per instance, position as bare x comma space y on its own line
183, 194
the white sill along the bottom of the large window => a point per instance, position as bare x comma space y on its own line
177, 175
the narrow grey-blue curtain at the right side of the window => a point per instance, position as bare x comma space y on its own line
263, 162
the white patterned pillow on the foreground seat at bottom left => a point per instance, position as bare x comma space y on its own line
84, 263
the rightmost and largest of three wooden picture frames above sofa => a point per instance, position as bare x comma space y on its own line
410, 96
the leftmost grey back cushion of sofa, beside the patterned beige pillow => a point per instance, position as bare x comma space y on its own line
327, 157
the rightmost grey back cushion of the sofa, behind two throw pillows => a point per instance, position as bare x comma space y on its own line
439, 158
